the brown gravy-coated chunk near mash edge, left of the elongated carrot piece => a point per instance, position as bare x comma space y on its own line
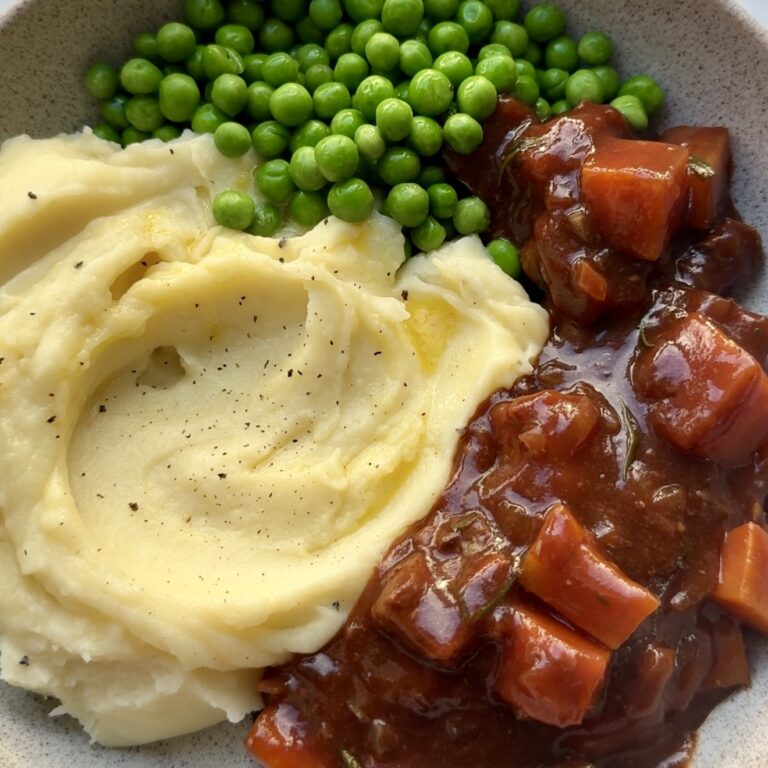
420, 614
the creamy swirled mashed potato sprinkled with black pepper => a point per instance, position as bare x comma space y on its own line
207, 439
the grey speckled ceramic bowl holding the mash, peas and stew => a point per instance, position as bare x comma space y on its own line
712, 58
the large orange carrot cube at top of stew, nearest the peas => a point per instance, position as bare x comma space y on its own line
635, 191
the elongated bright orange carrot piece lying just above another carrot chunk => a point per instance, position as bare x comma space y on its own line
565, 569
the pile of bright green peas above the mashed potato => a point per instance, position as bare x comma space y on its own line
352, 101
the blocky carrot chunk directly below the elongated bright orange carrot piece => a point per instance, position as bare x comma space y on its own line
547, 671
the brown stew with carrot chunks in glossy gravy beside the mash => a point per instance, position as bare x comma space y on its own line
455, 652
